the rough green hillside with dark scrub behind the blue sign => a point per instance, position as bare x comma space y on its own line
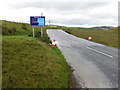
13, 28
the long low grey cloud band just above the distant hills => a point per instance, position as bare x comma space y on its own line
84, 21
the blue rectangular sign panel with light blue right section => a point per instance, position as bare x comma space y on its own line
37, 21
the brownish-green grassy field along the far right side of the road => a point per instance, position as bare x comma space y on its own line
106, 37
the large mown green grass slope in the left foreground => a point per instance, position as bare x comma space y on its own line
31, 63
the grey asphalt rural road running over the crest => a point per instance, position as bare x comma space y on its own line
95, 65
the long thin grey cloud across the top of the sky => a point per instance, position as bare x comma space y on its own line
60, 6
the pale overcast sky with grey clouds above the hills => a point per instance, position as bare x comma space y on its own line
62, 12
